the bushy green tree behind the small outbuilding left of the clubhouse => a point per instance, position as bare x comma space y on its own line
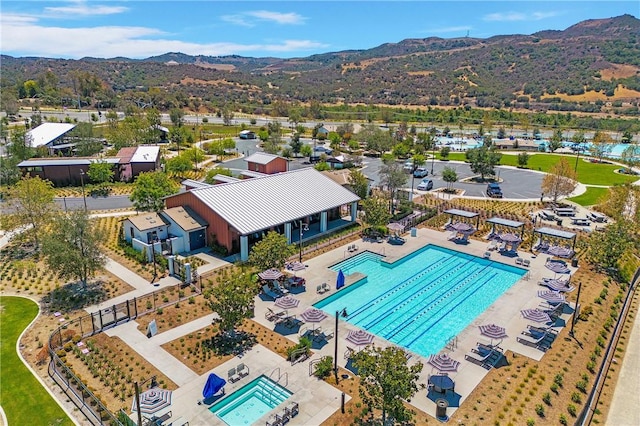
149, 189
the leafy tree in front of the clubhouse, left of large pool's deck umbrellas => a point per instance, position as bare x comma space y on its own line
233, 299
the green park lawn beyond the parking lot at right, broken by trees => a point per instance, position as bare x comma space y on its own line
588, 173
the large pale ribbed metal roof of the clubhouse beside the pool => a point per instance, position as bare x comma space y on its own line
252, 205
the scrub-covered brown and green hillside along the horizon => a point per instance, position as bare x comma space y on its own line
596, 60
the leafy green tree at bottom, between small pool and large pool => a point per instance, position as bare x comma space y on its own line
386, 381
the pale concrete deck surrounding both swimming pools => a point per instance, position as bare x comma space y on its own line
317, 399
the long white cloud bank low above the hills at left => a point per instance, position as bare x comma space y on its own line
132, 42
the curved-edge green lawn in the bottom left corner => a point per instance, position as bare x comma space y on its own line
24, 400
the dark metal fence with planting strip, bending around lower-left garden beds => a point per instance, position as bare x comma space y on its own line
88, 325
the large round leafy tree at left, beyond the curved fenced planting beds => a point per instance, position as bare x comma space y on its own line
72, 246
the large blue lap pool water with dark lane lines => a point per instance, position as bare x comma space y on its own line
422, 300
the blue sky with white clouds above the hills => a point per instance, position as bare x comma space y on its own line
285, 29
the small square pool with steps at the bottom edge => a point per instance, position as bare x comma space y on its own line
252, 401
